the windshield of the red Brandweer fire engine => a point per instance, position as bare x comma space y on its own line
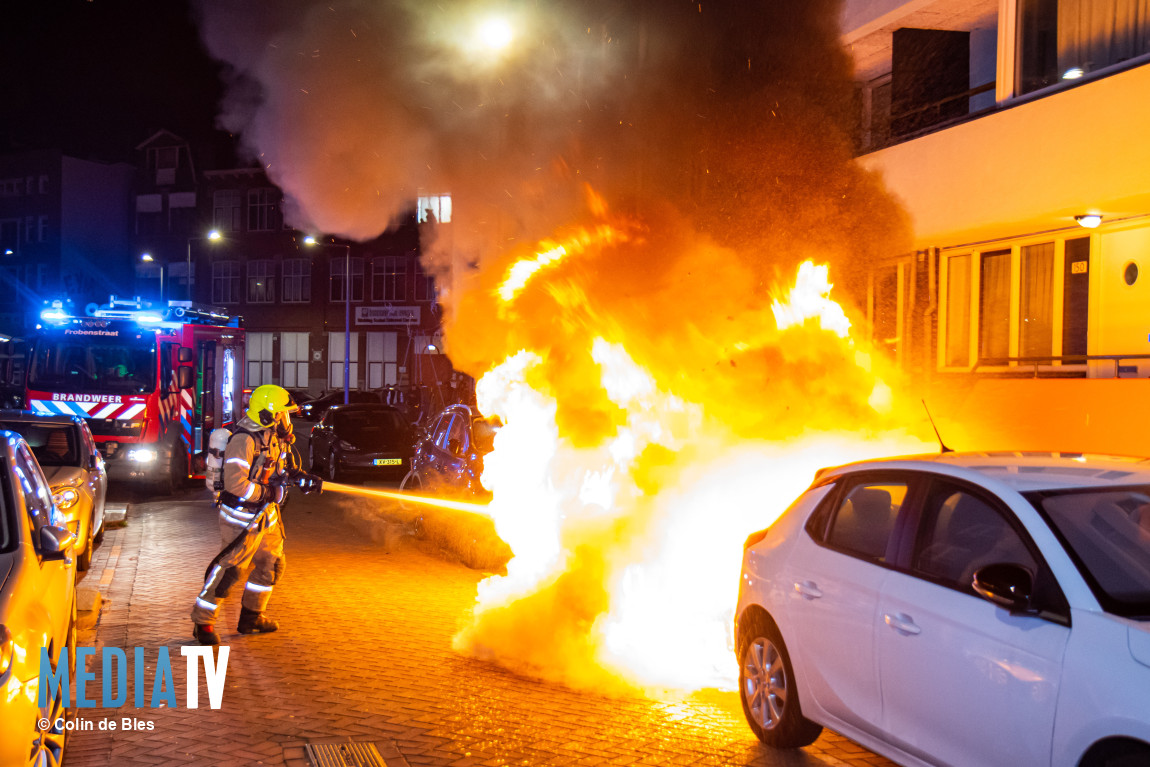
121, 364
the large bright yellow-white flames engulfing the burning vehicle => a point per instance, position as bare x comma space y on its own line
627, 519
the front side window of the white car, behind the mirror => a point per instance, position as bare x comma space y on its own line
961, 533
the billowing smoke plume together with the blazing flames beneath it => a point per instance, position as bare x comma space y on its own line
687, 157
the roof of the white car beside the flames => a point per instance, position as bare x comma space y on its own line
1024, 472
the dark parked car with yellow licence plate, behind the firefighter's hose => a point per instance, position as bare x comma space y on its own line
361, 441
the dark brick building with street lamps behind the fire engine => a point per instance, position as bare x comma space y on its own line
219, 237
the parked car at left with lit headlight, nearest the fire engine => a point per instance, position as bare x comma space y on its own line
67, 452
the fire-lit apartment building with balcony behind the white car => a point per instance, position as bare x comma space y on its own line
1014, 134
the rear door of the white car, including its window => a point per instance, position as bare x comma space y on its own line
834, 579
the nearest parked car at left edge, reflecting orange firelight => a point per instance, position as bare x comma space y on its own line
37, 608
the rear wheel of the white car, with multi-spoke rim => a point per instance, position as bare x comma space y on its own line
768, 691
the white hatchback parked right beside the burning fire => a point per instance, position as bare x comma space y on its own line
968, 610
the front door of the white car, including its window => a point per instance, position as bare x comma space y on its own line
964, 682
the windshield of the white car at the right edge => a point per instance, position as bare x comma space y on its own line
1108, 534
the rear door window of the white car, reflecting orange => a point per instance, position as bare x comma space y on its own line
865, 519
